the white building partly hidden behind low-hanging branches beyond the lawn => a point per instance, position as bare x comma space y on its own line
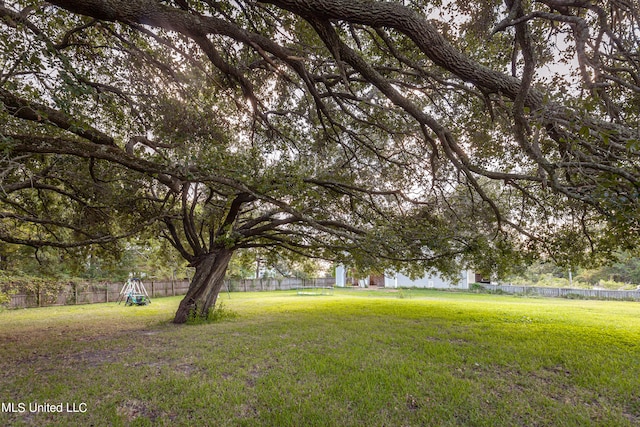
399, 280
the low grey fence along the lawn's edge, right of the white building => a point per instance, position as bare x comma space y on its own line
565, 292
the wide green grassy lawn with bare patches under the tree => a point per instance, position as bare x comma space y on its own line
356, 358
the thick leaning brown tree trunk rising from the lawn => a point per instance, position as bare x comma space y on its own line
205, 285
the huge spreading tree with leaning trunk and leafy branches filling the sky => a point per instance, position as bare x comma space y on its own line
407, 134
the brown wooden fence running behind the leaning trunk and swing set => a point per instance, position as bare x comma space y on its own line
91, 293
